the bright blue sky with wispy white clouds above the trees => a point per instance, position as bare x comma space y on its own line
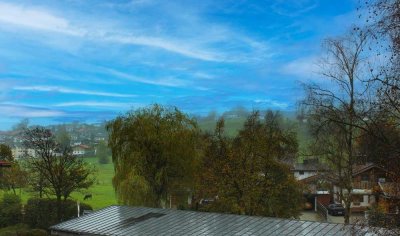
74, 60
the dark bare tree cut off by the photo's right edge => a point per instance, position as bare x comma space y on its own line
381, 142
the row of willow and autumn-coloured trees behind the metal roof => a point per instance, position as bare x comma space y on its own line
159, 153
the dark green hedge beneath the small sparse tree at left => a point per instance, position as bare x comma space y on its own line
42, 213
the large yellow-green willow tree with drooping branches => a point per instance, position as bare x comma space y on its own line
154, 150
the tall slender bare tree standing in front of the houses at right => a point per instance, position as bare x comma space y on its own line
337, 110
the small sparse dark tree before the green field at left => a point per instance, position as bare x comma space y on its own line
55, 165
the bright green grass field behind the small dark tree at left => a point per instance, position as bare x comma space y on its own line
102, 191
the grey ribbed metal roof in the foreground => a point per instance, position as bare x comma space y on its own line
124, 220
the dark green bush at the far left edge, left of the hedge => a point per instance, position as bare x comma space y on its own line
10, 210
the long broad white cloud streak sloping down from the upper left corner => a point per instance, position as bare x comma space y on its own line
43, 20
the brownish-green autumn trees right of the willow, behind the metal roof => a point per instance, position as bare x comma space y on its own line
247, 174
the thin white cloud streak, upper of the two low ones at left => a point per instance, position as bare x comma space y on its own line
70, 91
